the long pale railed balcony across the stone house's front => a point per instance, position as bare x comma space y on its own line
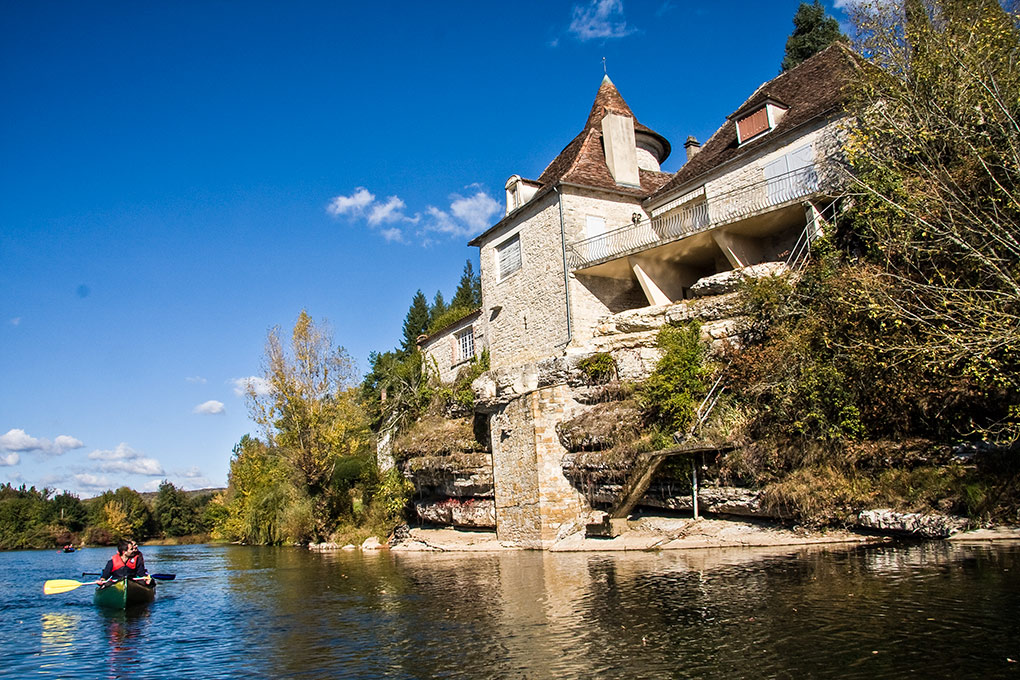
703, 216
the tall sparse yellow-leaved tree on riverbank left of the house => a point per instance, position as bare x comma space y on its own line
313, 417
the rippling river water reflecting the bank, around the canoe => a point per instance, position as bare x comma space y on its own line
928, 610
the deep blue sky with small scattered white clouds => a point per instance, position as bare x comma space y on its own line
179, 178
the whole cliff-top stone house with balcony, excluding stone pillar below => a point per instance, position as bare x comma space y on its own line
603, 230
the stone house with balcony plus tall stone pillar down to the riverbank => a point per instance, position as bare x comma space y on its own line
602, 235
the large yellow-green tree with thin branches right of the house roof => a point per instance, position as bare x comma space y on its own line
934, 153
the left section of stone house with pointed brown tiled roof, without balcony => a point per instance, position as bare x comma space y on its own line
534, 305
